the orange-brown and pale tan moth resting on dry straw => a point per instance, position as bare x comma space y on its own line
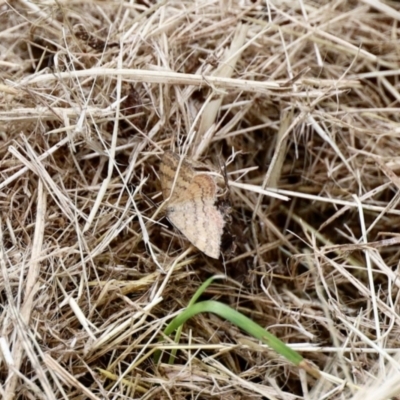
190, 207
